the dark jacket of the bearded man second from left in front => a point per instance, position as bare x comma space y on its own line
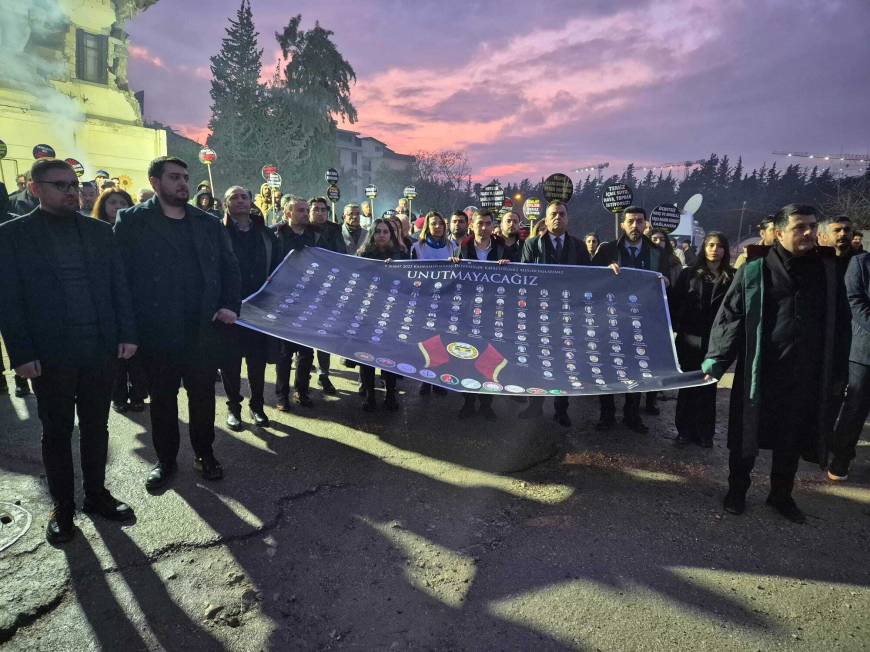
147, 245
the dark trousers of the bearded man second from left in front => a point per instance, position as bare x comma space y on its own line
165, 375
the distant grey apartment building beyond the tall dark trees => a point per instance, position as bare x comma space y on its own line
363, 160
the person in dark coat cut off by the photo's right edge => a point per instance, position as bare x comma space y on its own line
857, 403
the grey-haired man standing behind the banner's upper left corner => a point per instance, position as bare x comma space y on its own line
294, 232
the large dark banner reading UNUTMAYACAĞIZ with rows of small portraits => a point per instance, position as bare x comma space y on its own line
515, 329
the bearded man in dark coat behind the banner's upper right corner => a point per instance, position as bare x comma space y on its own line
633, 249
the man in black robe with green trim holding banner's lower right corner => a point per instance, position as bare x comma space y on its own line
783, 321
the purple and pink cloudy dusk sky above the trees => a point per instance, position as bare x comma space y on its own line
528, 89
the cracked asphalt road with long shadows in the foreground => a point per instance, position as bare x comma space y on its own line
336, 529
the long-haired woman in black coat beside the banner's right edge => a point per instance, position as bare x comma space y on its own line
695, 300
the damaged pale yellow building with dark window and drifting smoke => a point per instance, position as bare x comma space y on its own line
63, 82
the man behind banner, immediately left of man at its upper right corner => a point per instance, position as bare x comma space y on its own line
555, 247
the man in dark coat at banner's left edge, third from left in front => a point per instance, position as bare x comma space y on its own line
258, 253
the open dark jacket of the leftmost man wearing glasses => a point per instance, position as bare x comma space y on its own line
33, 316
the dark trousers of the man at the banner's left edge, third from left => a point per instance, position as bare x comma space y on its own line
253, 347
